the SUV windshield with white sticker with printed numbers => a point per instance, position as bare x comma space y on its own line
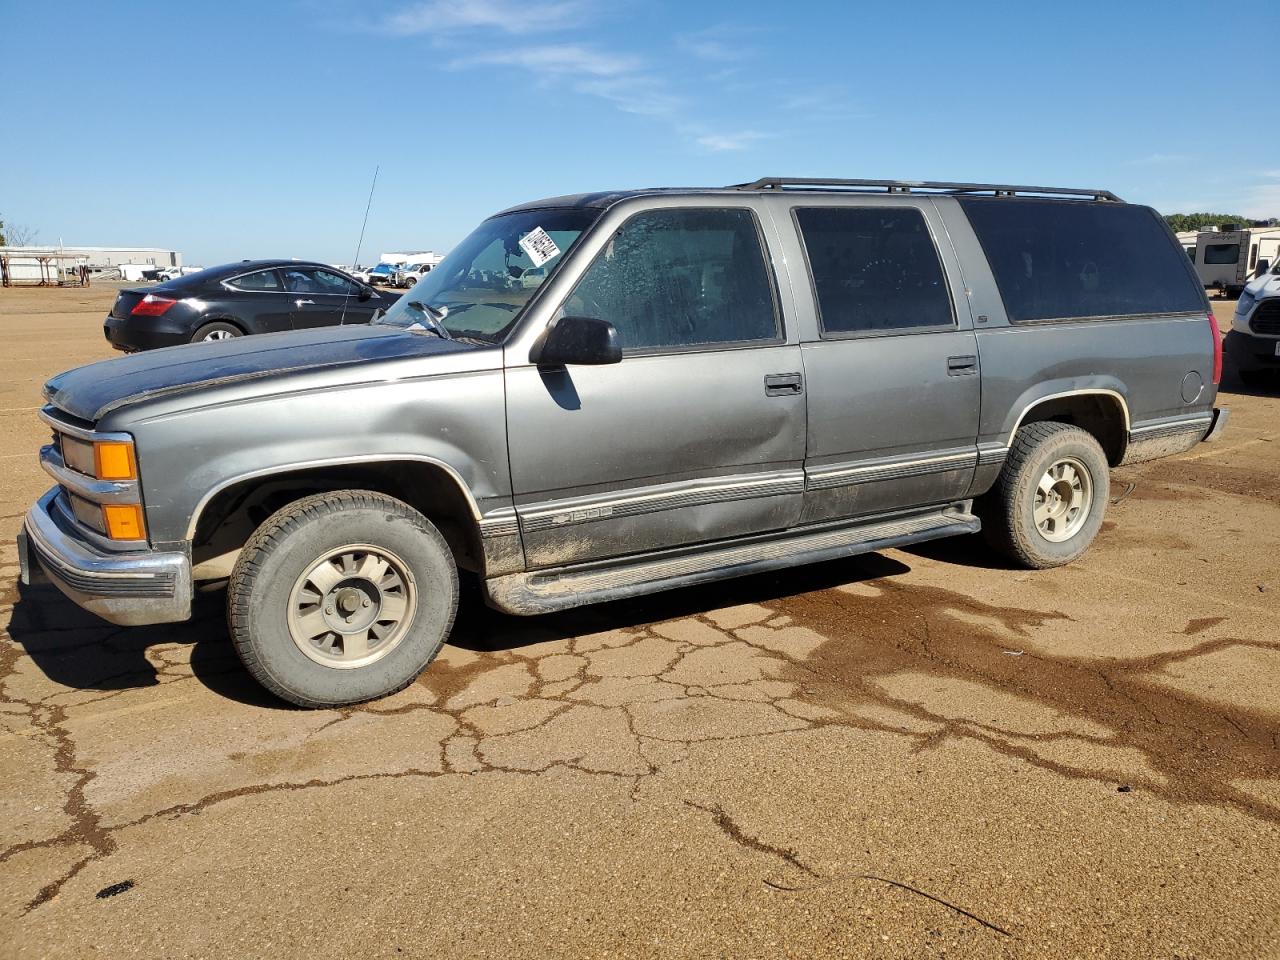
481, 289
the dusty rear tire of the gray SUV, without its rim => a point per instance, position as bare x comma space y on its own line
1009, 510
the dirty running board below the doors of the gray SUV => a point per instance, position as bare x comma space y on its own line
547, 591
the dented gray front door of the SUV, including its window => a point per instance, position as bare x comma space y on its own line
698, 435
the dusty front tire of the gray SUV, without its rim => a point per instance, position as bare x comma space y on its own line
262, 593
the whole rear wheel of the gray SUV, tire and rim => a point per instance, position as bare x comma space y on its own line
1049, 502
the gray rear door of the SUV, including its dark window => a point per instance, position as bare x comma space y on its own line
893, 374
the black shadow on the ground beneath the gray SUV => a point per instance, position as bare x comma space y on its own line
76, 650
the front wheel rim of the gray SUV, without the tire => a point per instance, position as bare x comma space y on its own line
353, 607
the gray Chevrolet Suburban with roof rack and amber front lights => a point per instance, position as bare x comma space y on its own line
607, 395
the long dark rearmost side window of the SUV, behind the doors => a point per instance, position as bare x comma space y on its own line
1059, 259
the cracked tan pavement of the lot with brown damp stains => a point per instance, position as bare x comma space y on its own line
912, 755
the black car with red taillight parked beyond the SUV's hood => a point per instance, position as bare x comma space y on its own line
254, 296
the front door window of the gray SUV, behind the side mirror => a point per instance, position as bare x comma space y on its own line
682, 278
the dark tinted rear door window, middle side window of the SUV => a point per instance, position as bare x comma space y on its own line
874, 269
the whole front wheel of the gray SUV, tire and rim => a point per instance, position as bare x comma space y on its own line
342, 597
